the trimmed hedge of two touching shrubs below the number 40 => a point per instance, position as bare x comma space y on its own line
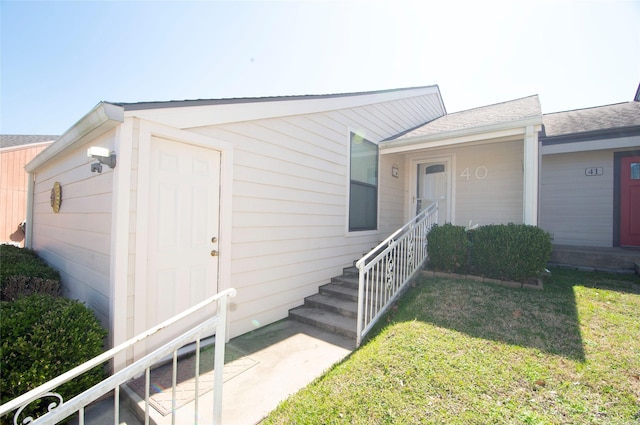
504, 251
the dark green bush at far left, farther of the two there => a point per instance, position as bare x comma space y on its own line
24, 273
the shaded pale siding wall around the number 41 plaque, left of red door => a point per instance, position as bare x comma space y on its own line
575, 208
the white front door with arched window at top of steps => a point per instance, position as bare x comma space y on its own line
433, 184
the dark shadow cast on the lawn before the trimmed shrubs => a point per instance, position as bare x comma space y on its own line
546, 319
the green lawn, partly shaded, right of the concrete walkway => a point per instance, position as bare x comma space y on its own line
461, 352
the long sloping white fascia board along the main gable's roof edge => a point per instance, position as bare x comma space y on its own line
205, 115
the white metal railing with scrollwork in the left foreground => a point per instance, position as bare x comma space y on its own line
59, 410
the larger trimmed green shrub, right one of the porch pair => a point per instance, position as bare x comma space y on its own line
510, 251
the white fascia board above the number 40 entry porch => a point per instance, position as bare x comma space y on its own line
466, 135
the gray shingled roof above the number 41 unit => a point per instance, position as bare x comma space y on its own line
597, 119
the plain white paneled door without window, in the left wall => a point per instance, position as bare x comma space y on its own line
184, 201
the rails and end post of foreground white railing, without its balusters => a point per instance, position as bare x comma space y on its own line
219, 322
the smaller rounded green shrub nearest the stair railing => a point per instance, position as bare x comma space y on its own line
447, 247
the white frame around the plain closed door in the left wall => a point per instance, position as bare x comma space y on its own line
147, 131
